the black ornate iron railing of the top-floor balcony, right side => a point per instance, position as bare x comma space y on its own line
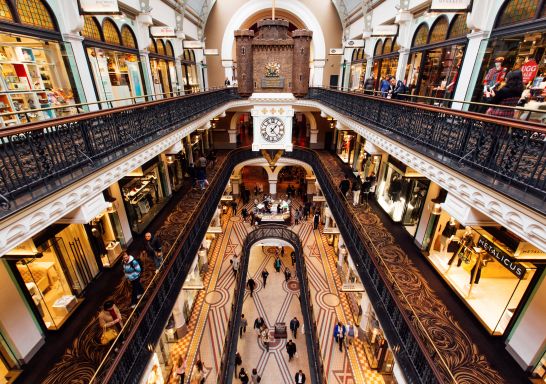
504, 154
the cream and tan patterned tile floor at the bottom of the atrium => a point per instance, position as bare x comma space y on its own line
275, 302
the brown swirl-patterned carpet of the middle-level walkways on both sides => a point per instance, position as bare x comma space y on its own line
450, 334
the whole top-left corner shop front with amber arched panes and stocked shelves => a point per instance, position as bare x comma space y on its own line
37, 69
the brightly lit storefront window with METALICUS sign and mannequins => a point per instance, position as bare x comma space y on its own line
479, 264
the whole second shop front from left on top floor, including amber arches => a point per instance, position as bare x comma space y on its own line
114, 61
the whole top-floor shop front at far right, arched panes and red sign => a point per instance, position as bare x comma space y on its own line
518, 41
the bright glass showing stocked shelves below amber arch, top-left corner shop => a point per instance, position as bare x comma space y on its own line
36, 74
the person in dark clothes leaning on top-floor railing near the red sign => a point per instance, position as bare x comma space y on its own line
508, 94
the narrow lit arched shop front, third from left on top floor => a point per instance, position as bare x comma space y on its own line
163, 68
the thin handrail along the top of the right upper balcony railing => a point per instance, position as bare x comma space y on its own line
407, 97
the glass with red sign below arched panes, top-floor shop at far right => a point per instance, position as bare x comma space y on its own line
526, 52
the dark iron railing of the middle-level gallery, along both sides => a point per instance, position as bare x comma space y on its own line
414, 346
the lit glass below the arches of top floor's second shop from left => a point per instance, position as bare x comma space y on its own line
116, 74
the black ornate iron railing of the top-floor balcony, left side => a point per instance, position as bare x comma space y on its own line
40, 158
